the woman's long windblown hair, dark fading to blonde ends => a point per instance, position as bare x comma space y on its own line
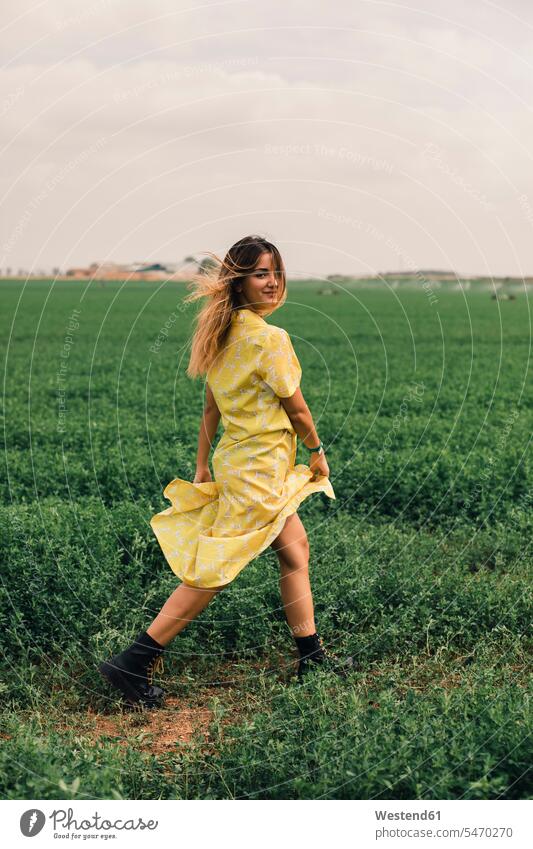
216, 283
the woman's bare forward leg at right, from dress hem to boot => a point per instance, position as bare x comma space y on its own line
292, 549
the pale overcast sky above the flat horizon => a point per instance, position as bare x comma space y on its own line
358, 136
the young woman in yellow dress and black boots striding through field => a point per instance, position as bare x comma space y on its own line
214, 528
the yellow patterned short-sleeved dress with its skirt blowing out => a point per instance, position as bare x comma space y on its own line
213, 529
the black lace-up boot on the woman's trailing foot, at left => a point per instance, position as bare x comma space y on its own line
132, 672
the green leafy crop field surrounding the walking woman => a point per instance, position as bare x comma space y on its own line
421, 567
